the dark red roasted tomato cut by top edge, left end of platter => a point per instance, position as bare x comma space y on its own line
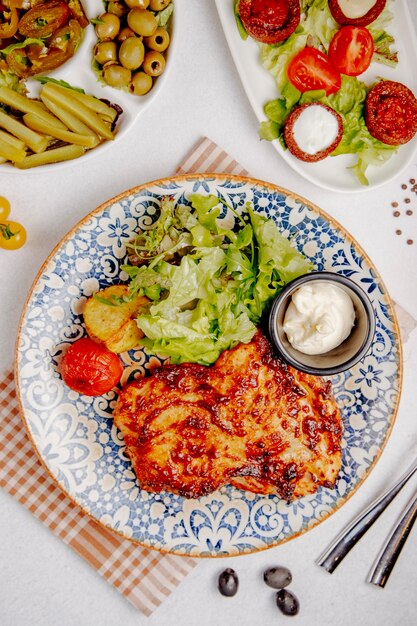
269, 21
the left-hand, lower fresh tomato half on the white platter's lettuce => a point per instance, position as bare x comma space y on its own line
311, 69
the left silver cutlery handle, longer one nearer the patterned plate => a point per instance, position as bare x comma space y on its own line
350, 535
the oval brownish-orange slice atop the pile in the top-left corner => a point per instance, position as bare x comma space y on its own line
44, 19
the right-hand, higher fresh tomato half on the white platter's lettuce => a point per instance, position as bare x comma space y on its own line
351, 50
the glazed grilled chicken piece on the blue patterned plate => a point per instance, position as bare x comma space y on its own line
249, 420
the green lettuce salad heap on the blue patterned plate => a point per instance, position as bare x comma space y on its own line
208, 283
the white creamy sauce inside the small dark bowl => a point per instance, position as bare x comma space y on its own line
319, 317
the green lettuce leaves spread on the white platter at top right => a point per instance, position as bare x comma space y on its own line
317, 28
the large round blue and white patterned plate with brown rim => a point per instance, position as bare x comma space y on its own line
75, 437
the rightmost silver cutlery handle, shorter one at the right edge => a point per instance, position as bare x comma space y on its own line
391, 551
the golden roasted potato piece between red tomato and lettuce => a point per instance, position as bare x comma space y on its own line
114, 326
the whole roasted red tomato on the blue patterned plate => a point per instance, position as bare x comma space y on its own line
90, 368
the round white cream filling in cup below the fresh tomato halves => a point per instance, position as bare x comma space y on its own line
315, 129
